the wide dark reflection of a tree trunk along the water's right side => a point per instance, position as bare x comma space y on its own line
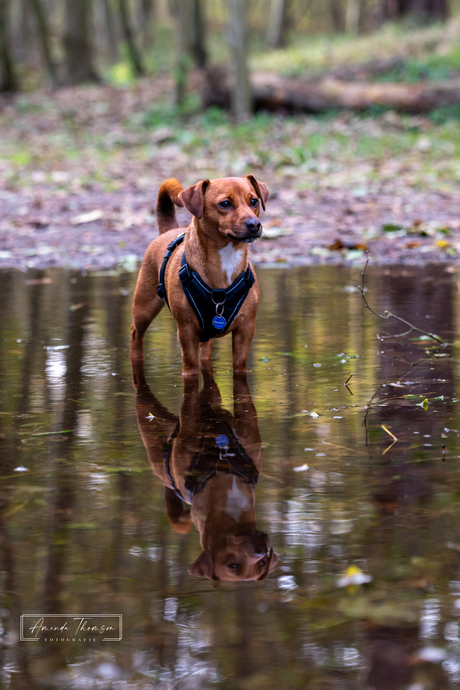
403, 486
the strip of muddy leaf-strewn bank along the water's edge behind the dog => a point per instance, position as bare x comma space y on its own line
96, 230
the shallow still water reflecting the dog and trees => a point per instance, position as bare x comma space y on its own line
87, 527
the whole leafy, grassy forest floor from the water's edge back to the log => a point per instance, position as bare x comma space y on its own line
80, 171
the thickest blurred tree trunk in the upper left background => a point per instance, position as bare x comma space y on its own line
77, 42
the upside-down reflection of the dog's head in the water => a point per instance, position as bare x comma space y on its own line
237, 557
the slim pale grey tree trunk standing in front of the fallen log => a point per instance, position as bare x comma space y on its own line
239, 75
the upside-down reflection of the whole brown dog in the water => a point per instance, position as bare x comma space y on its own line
210, 460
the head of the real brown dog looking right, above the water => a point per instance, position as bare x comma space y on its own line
229, 205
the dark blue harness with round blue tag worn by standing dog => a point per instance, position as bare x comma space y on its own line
215, 309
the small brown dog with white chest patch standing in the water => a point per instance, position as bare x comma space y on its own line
225, 220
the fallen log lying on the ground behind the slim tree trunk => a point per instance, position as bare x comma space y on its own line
274, 93
